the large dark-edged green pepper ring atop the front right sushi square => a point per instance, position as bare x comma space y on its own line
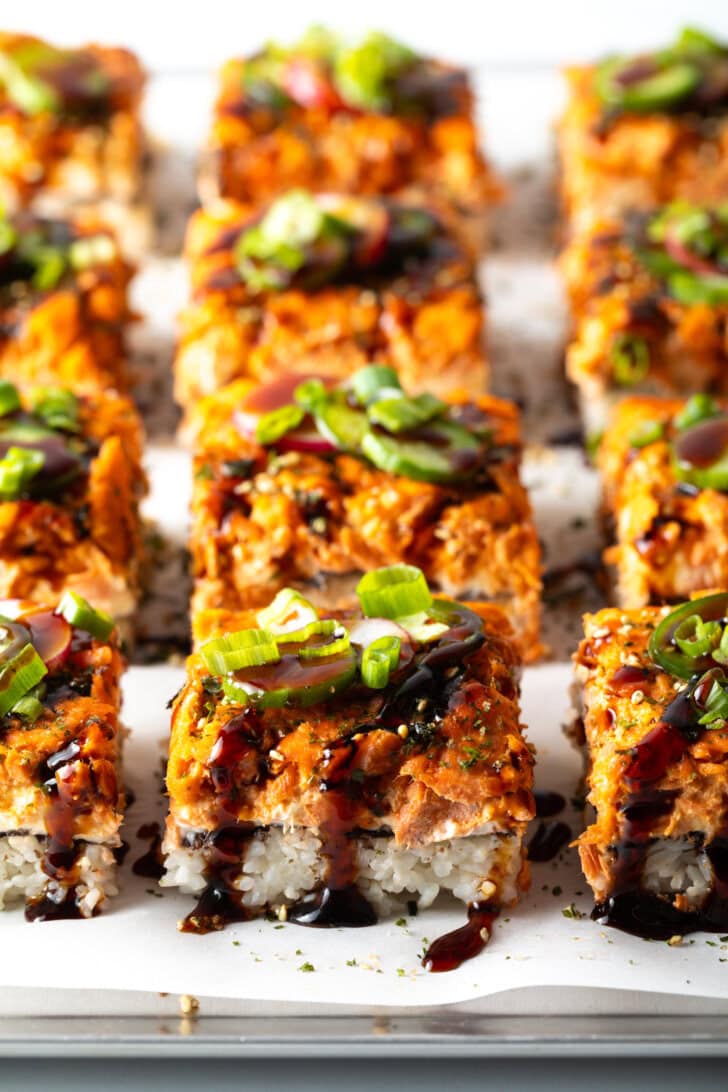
689, 623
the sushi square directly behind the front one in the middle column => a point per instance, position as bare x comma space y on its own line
307, 484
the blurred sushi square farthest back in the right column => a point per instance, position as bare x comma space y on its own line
645, 130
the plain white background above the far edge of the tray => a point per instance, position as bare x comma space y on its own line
184, 35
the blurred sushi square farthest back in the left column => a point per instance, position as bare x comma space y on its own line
71, 137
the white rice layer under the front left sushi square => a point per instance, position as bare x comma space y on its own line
22, 875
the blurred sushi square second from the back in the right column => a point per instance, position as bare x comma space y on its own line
650, 299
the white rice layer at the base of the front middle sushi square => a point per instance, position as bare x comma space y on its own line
282, 865
